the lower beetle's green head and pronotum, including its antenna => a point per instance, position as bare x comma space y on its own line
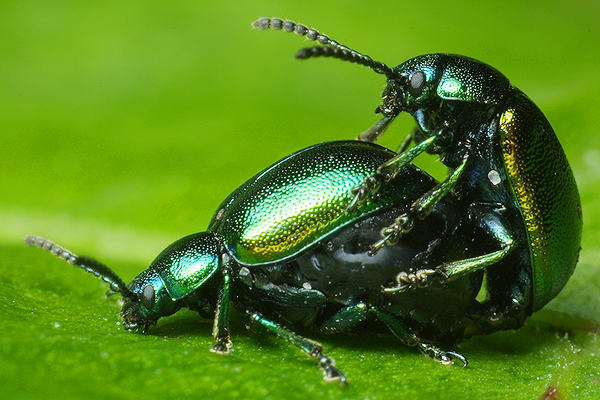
180, 275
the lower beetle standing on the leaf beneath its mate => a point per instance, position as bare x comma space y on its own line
285, 252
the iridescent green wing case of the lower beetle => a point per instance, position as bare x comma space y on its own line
302, 199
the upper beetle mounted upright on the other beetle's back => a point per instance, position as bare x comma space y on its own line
504, 161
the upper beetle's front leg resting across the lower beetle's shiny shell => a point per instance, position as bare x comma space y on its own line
386, 172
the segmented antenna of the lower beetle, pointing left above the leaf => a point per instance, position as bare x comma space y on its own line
87, 264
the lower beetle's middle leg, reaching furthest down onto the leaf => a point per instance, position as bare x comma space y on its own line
312, 348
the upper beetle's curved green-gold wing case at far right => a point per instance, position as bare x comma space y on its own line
545, 190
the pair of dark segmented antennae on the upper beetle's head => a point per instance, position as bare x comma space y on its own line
330, 48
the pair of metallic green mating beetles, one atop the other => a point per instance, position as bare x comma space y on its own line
331, 234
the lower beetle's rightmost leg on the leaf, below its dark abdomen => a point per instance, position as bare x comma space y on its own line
402, 332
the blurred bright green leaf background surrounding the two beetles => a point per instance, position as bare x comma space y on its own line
124, 124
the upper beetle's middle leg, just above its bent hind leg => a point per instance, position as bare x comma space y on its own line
421, 208
